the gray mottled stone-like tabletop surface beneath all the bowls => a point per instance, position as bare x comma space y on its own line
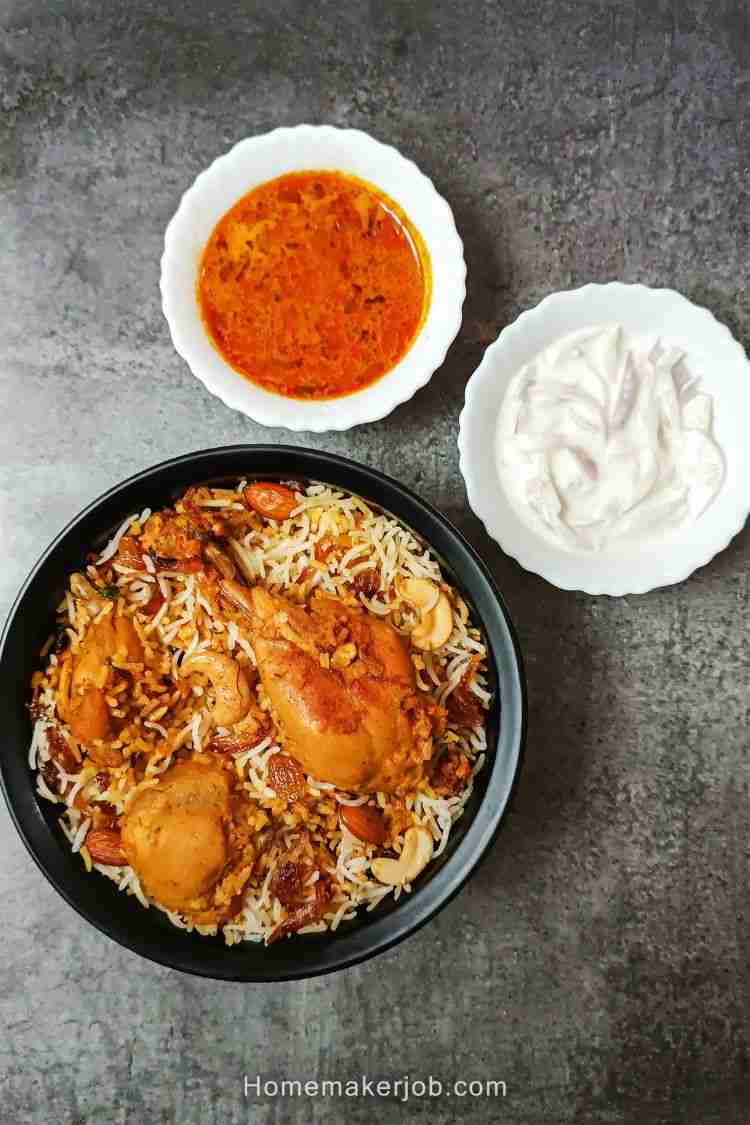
599, 962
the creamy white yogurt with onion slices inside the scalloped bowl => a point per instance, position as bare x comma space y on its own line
604, 438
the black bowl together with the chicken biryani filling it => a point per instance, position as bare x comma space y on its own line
265, 713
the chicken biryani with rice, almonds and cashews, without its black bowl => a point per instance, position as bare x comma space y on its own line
263, 710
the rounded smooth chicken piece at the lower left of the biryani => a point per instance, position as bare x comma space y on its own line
184, 838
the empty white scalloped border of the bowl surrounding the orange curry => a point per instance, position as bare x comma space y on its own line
257, 160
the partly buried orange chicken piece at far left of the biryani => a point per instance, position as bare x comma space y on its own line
88, 676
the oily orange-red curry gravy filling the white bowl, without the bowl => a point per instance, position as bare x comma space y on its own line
314, 285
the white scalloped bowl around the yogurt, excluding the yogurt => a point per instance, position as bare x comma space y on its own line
712, 353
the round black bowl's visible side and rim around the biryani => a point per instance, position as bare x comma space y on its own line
150, 932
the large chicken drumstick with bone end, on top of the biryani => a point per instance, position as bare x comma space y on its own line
342, 685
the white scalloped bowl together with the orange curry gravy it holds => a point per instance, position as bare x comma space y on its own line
313, 278
